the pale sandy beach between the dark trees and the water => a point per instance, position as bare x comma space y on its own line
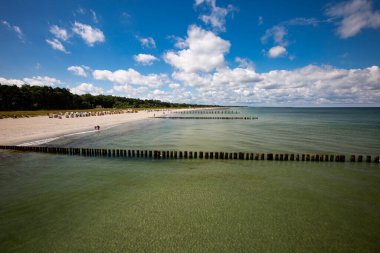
24, 131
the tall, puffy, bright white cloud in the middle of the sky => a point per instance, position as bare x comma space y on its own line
205, 52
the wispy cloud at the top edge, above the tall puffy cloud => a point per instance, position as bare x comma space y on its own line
217, 16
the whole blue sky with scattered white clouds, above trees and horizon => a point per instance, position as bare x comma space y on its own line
225, 52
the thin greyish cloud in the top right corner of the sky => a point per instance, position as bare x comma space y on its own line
354, 15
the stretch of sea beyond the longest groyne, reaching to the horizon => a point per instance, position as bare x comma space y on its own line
292, 130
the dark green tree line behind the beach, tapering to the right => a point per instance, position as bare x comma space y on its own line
28, 97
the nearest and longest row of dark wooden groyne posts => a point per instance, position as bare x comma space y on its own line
171, 154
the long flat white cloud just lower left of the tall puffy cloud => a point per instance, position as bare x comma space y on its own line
131, 77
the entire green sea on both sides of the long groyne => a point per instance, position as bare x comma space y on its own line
59, 203
